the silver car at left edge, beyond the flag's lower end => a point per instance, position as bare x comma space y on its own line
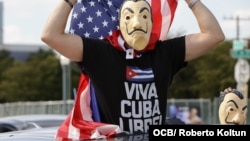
24, 122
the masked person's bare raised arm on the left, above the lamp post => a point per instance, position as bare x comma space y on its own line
54, 34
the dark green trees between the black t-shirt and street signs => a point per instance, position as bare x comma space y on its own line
206, 76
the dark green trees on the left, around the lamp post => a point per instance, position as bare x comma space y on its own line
38, 79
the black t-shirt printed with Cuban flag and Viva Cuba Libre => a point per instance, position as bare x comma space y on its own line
132, 93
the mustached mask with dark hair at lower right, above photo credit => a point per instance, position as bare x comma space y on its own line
233, 108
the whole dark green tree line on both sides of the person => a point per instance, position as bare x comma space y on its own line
40, 78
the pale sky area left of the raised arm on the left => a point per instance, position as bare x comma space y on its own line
23, 23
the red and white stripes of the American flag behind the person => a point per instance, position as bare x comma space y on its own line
79, 124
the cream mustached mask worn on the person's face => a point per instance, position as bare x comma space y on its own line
136, 23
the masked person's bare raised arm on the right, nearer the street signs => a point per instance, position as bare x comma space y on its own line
210, 31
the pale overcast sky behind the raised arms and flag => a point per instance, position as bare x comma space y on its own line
23, 20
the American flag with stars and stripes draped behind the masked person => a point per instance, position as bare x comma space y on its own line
98, 19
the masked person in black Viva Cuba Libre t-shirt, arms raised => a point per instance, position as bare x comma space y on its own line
131, 70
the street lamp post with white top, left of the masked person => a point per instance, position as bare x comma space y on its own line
65, 63
